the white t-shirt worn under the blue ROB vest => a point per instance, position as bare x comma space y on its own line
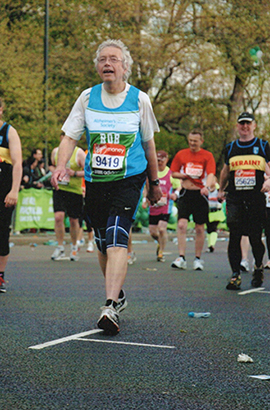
74, 125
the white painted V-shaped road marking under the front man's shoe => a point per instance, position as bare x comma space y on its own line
80, 336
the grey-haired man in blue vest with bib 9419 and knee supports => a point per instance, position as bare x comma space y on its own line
120, 125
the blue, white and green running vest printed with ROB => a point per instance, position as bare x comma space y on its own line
115, 148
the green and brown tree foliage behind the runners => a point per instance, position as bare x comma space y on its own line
193, 58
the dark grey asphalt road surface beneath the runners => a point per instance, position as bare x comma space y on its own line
161, 359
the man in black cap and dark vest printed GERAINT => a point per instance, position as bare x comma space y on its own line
243, 178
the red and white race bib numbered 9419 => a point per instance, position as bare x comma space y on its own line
108, 157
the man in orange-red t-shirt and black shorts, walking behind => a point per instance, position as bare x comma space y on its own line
192, 166
